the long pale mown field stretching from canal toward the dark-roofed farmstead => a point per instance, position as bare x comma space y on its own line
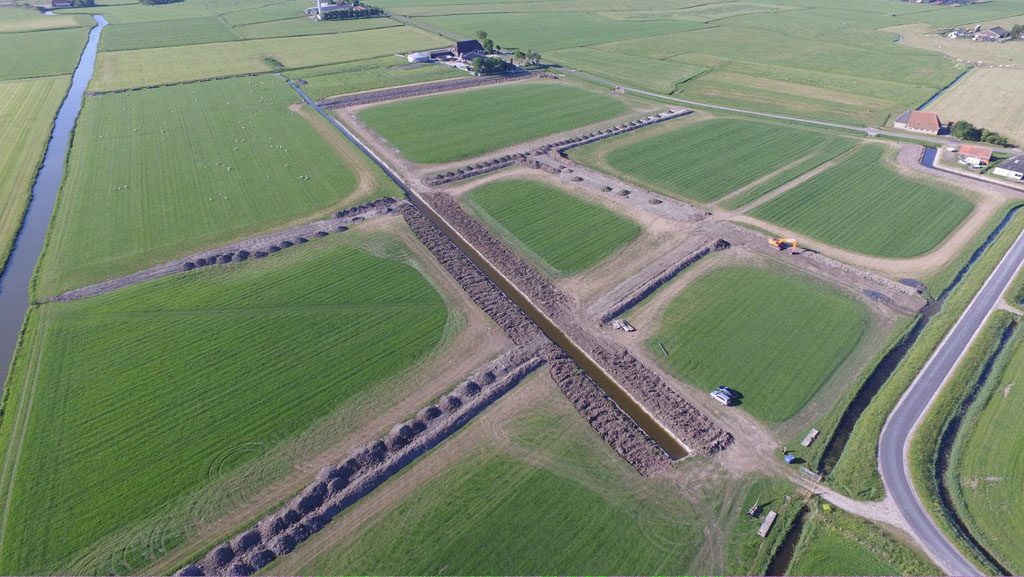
152, 67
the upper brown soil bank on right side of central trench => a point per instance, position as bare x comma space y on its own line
541, 292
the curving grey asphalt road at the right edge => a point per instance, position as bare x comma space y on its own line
897, 435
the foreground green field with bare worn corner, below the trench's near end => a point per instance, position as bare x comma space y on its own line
549, 498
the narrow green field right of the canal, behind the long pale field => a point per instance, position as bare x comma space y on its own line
159, 34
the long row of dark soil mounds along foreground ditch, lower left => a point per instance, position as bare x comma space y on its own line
337, 487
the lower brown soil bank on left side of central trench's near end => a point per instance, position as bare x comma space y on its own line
618, 430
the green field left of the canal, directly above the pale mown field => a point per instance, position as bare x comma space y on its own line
30, 55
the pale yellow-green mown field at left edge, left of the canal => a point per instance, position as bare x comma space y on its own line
28, 109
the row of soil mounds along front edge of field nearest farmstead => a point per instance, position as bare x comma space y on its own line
560, 147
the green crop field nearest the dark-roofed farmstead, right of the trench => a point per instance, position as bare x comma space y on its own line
425, 131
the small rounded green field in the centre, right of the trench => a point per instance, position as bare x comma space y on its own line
566, 234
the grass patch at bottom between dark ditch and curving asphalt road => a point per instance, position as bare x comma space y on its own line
839, 544
